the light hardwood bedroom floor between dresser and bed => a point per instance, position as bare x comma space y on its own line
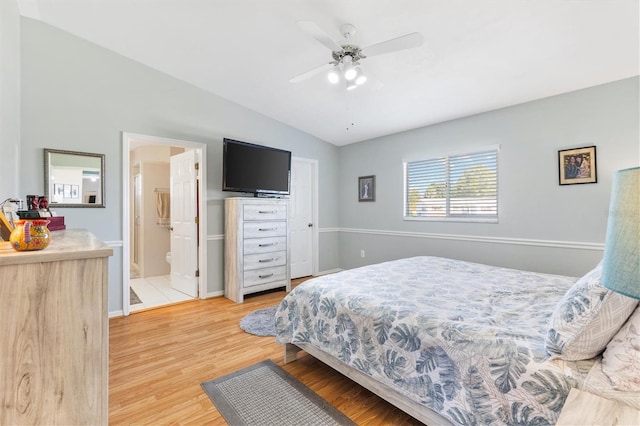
158, 358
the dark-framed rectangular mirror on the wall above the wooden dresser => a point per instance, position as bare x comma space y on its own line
73, 179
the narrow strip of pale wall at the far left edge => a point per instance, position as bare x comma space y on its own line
9, 97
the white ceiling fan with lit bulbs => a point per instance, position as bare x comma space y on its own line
345, 65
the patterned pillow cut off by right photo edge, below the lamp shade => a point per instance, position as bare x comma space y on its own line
621, 359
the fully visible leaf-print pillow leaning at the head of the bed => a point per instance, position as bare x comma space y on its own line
586, 318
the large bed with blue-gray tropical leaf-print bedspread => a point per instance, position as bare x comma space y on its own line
456, 342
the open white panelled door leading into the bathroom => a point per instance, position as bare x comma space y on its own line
184, 228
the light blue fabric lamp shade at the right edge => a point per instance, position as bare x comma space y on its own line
621, 265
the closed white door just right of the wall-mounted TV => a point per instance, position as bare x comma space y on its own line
301, 226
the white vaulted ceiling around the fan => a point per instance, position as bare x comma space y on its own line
478, 55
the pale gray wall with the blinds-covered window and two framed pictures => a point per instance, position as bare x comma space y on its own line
542, 226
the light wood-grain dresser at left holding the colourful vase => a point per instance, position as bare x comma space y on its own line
54, 344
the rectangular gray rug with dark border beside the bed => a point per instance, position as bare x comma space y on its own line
265, 394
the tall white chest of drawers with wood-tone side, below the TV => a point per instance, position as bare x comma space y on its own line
256, 246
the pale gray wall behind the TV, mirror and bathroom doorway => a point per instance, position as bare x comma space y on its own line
80, 97
